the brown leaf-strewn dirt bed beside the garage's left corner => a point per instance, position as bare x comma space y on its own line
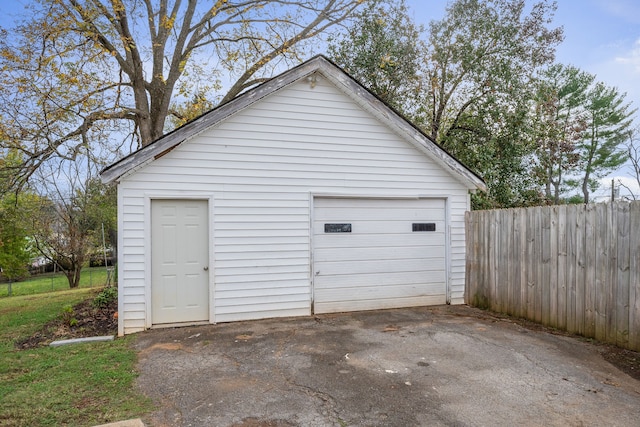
83, 320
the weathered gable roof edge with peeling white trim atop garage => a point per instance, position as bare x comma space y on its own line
318, 64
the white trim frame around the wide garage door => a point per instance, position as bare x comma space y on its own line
447, 235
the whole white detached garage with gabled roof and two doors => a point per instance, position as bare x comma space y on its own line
304, 195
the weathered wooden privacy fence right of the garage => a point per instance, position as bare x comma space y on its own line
573, 267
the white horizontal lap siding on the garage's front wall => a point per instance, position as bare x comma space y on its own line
260, 169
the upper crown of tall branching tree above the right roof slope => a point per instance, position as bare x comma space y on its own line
483, 52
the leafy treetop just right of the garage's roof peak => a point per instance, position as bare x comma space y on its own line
382, 49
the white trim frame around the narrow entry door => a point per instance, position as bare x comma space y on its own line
148, 198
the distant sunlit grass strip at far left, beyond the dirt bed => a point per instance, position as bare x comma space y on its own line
90, 278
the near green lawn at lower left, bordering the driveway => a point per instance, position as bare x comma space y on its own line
74, 385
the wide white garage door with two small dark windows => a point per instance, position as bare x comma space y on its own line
375, 254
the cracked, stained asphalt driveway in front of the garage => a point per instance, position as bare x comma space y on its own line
431, 366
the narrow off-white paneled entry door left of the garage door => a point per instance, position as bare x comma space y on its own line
179, 261
